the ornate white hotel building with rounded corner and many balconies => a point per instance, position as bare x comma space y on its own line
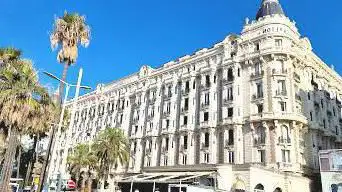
252, 112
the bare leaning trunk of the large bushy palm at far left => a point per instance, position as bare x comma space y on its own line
9, 157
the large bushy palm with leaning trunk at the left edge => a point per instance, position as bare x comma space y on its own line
25, 107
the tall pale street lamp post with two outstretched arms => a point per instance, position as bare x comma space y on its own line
56, 143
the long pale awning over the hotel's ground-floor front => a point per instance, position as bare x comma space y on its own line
165, 177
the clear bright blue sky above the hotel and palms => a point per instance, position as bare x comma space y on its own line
129, 33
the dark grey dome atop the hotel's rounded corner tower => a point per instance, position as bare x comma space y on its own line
269, 7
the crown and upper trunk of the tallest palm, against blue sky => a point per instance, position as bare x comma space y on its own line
69, 31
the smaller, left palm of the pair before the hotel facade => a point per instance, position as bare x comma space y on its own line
80, 160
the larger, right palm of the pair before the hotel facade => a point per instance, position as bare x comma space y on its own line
112, 149
